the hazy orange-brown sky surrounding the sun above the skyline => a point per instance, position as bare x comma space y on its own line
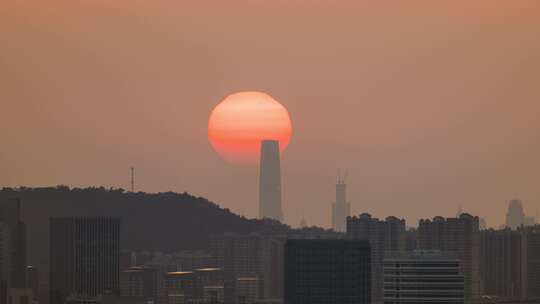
429, 104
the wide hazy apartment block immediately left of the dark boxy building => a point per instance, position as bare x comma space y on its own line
254, 255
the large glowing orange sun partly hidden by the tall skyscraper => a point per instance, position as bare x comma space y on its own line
242, 120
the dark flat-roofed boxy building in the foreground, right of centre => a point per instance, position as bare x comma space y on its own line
327, 272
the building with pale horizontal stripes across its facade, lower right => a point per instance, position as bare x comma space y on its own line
423, 277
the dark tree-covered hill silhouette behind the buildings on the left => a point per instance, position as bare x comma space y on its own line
165, 222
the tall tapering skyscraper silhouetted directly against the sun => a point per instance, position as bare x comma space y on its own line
270, 181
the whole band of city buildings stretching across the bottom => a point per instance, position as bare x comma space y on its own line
363, 260
